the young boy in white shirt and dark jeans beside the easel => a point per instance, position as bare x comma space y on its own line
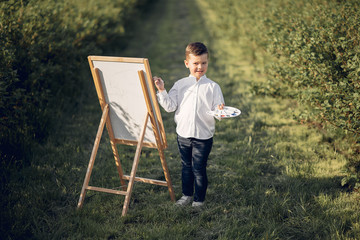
191, 97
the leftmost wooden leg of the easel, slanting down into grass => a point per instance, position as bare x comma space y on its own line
93, 155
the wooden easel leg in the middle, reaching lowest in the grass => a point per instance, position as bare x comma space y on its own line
134, 168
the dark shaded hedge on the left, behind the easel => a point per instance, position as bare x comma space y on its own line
44, 47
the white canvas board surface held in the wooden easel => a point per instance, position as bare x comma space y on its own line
122, 90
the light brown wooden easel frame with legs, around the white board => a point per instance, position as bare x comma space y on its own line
152, 113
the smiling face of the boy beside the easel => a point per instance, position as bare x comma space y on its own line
197, 65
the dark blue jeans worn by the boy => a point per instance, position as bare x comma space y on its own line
194, 155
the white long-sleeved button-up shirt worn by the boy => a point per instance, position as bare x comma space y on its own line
191, 99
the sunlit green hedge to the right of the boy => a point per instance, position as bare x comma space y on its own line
308, 51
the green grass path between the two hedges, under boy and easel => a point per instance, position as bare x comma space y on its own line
269, 178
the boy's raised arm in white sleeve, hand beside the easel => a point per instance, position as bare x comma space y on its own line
167, 101
